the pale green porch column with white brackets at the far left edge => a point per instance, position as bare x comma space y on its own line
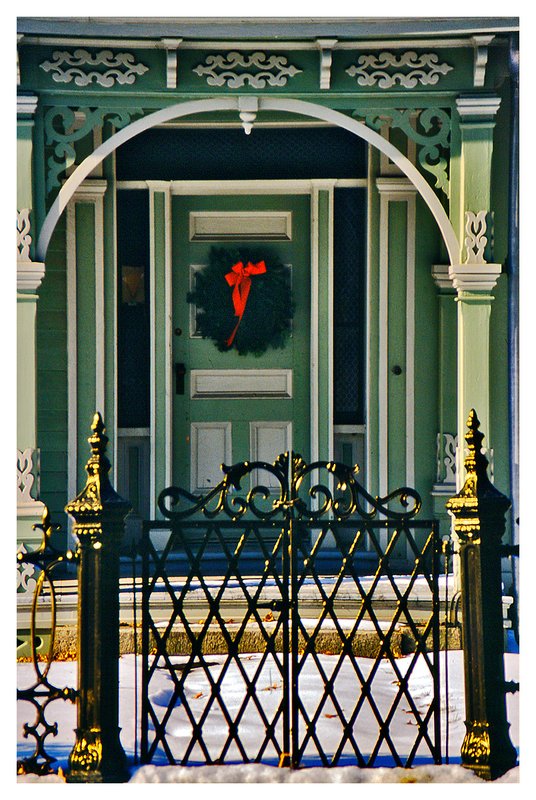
29, 277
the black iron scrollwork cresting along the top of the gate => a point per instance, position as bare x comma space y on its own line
297, 494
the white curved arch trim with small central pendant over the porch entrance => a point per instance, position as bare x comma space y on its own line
302, 107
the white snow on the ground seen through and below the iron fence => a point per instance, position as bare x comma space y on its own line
64, 674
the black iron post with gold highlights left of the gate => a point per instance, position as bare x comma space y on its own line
99, 515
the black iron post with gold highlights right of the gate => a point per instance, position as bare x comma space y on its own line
479, 510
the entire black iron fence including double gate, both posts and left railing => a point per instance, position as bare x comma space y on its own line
283, 559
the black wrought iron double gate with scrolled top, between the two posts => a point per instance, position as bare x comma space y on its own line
259, 601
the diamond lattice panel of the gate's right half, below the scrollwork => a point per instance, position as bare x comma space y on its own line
365, 593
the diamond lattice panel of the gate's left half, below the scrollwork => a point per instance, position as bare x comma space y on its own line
205, 612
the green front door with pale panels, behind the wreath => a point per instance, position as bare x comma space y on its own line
228, 407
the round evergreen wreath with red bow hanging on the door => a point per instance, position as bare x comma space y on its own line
243, 300
